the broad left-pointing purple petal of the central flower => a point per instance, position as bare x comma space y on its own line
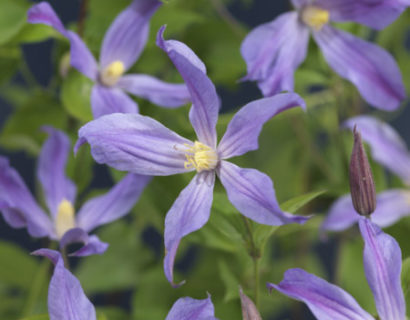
131, 142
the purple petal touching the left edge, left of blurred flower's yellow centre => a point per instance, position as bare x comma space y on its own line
18, 205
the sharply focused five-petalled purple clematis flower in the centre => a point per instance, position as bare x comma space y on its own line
142, 145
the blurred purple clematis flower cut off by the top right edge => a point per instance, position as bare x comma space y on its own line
274, 50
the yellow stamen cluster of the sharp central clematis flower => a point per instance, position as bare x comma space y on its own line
201, 157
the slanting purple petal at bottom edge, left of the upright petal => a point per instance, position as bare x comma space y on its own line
325, 300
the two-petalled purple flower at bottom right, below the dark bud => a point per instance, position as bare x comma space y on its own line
382, 264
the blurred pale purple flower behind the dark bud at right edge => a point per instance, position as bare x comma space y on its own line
390, 150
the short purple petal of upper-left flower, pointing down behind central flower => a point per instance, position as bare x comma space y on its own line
106, 100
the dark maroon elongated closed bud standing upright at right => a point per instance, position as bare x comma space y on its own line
361, 179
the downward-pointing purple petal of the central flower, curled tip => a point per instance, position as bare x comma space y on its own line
189, 213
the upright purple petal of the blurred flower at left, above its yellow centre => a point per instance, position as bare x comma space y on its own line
51, 170
